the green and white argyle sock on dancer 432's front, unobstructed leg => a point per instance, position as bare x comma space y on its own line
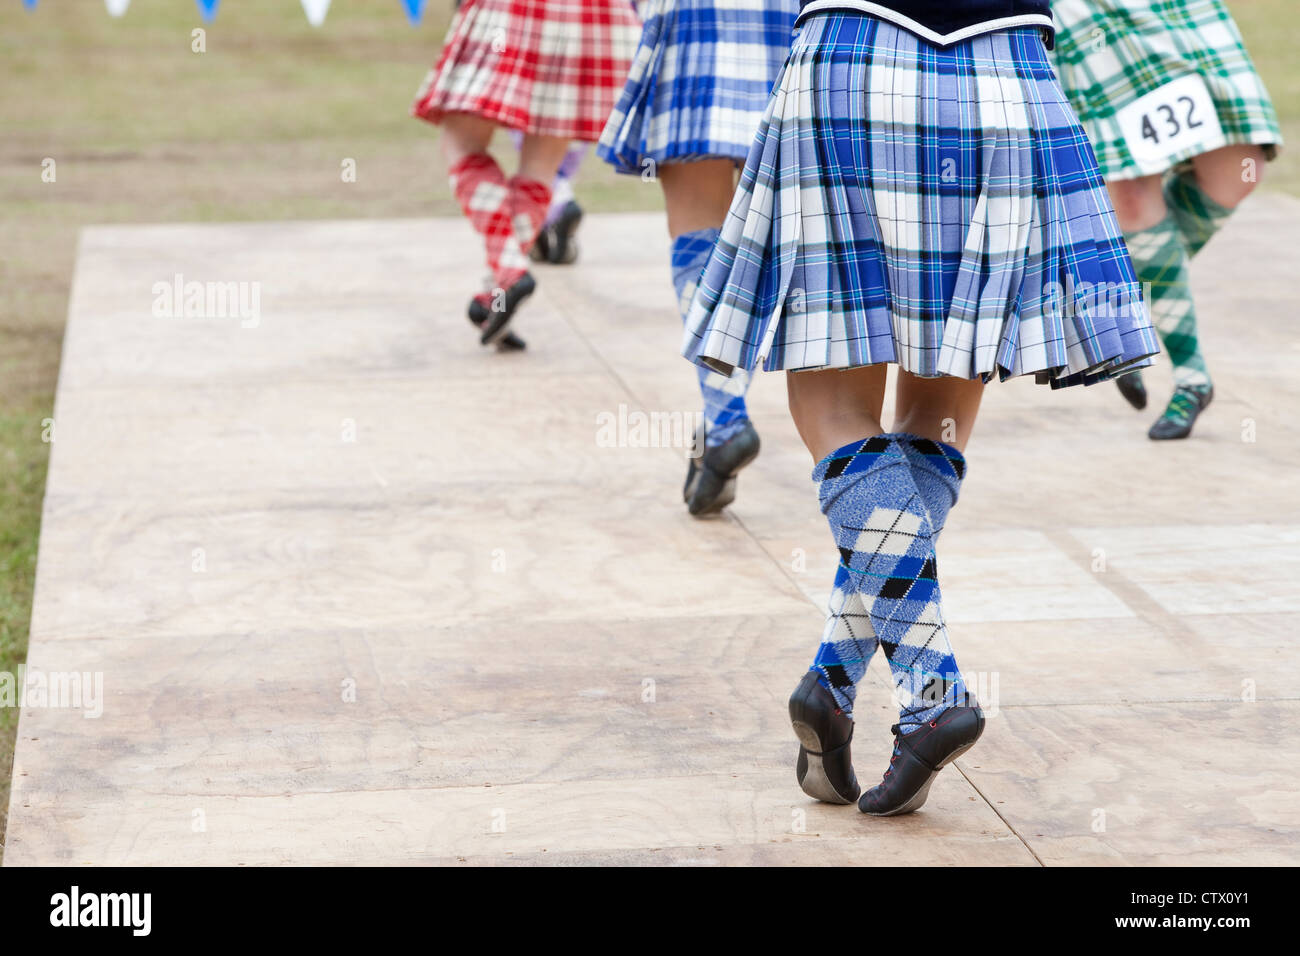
1160, 262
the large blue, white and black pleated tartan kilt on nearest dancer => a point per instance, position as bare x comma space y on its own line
939, 209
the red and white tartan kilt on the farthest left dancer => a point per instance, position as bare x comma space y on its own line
545, 67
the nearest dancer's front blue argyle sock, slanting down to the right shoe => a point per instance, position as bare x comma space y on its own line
886, 540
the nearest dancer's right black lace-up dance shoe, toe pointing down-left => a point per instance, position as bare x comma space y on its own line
920, 756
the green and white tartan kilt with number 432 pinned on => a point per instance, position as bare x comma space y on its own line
1112, 55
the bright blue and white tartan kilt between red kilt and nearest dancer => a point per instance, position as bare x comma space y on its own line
700, 81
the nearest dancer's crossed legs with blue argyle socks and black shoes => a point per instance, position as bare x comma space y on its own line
870, 490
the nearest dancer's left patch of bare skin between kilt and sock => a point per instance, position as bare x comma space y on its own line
835, 408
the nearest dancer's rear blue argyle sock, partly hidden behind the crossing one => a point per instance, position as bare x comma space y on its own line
938, 470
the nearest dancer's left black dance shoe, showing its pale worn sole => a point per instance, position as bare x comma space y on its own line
825, 768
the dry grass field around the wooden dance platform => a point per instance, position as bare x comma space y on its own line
142, 129
